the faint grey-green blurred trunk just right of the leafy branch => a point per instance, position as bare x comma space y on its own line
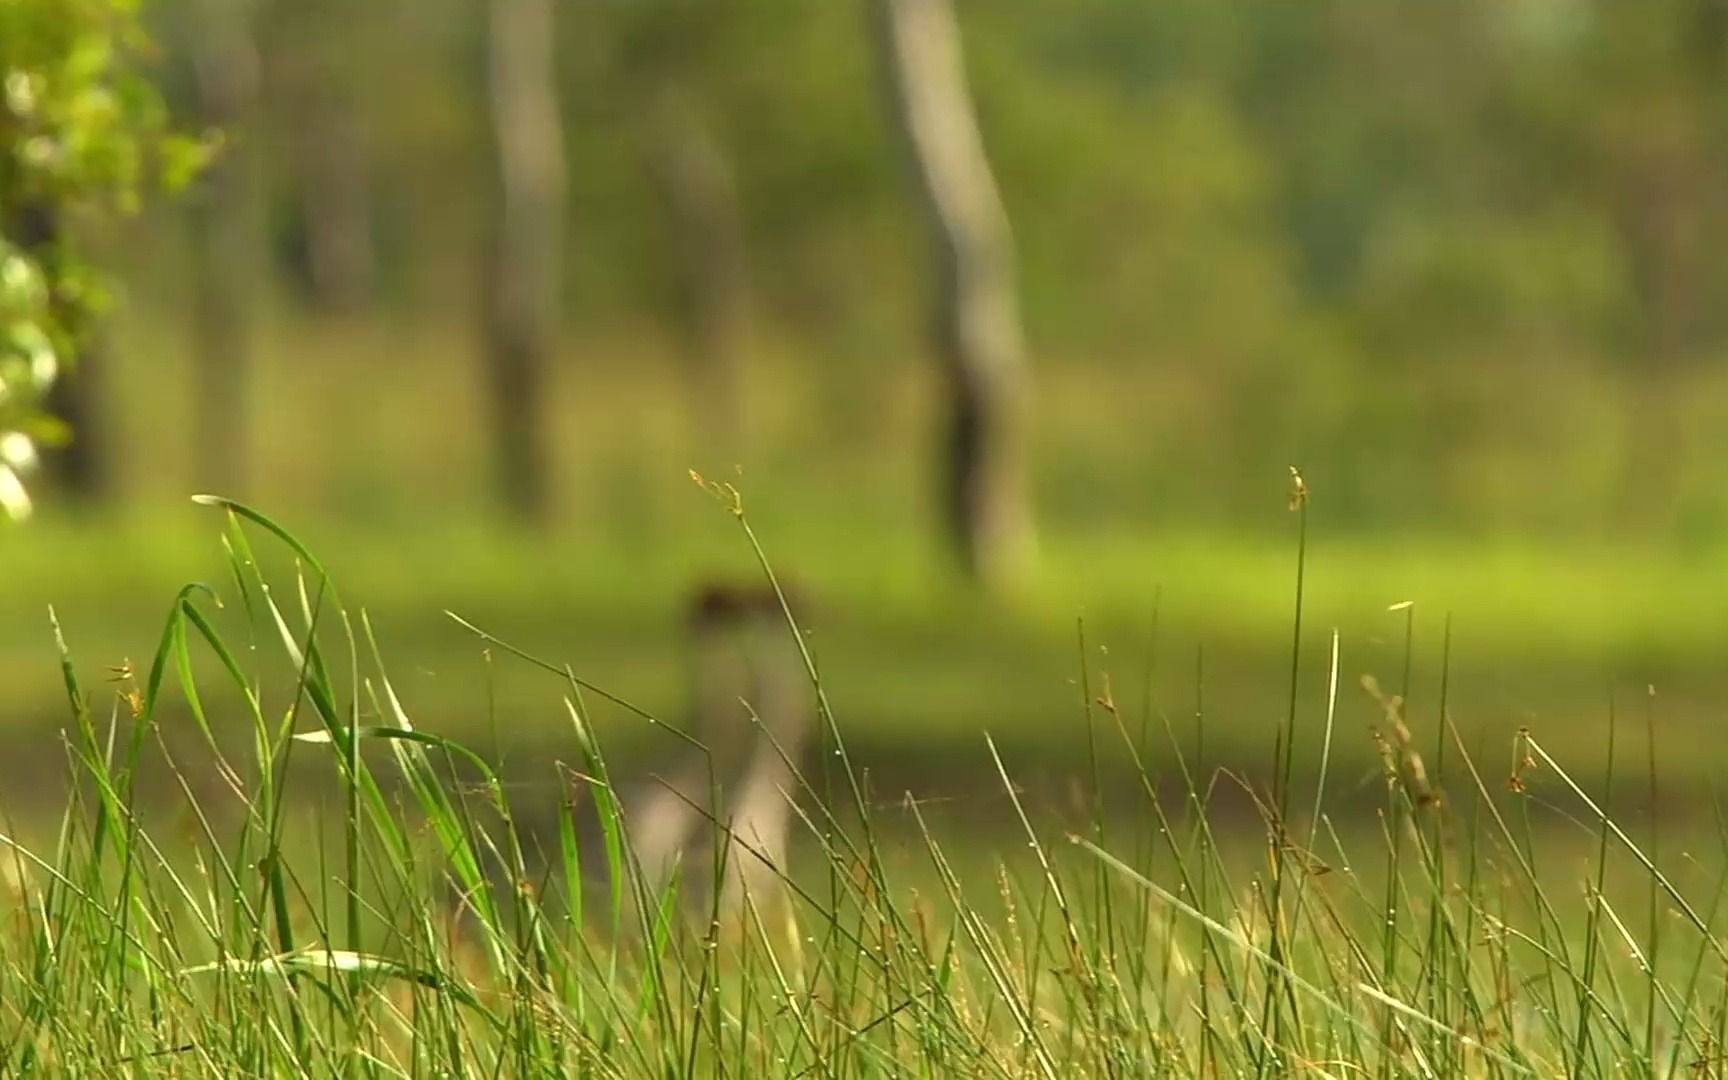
224, 232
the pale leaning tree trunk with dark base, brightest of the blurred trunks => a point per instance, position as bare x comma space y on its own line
979, 329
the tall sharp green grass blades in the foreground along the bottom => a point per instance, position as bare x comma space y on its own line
338, 889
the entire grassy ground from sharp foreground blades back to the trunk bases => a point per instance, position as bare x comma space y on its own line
1109, 825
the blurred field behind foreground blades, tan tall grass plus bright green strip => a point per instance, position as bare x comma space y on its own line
364, 436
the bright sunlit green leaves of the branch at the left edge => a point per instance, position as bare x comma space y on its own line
82, 132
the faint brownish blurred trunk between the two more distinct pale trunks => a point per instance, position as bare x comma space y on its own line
702, 193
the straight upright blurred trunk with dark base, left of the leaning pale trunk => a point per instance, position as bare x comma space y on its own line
524, 276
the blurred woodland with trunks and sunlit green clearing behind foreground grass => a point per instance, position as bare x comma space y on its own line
471, 286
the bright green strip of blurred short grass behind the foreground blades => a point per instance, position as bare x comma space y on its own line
1541, 637
